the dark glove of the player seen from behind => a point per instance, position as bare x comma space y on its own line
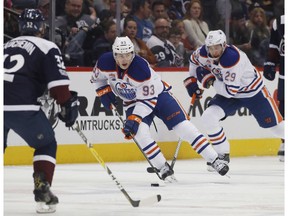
69, 110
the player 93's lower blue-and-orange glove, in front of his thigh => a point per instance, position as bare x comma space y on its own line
131, 126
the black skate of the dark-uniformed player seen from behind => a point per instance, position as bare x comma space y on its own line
45, 199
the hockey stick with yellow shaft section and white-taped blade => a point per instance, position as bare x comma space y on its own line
135, 203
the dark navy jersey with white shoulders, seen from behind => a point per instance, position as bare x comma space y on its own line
31, 65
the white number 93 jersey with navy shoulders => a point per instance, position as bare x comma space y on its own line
139, 85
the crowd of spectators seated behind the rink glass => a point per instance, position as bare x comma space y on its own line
164, 32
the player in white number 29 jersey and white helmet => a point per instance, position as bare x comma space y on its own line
237, 84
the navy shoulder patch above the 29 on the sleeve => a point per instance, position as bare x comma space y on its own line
230, 57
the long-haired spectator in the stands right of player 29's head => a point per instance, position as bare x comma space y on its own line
259, 36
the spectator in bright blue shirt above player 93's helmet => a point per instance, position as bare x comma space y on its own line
141, 12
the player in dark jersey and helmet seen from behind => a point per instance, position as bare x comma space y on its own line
32, 65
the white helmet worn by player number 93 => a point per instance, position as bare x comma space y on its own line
123, 45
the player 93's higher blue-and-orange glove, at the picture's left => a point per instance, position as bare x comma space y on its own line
107, 97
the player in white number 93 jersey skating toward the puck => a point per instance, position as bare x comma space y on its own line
126, 75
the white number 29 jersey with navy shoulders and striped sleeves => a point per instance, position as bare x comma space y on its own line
235, 76
